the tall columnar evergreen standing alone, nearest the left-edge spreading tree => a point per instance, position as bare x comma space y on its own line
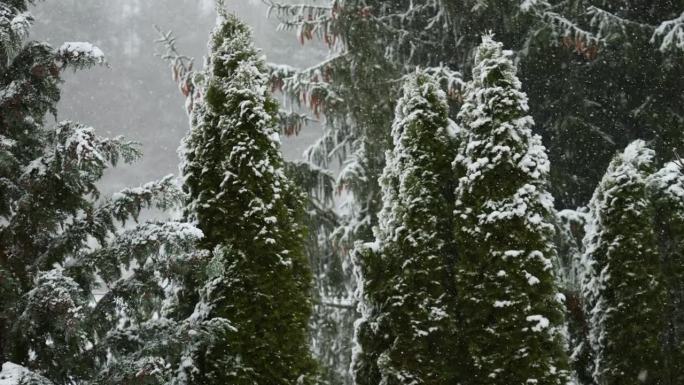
251, 216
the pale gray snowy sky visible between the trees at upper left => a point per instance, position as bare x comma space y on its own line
135, 96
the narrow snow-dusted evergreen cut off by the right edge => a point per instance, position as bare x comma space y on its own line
667, 192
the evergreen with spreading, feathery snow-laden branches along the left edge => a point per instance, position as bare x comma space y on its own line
61, 247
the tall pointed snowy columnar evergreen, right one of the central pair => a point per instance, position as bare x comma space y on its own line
509, 301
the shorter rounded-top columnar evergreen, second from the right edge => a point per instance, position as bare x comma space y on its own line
623, 284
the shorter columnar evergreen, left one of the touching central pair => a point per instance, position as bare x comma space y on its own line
407, 333
